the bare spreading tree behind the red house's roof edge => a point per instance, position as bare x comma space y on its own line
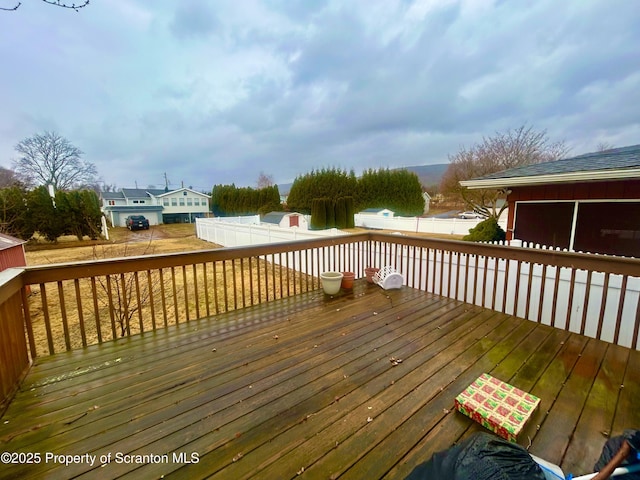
505, 150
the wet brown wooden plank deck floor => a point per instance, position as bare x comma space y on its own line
306, 386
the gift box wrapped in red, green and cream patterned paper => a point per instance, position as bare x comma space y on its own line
496, 405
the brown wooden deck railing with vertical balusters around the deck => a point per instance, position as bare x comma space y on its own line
53, 308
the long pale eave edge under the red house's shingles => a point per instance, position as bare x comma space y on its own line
572, 177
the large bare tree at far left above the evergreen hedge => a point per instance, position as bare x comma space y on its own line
49, 159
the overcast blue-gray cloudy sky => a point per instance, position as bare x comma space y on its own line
214, 92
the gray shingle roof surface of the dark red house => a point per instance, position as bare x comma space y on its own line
614, 159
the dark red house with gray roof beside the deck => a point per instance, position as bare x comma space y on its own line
588, 203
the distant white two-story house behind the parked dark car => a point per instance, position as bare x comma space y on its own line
158, 205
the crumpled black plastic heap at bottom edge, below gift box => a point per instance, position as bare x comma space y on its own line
482, 456
